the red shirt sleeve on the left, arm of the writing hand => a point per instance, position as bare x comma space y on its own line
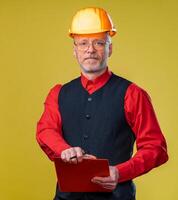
49, 133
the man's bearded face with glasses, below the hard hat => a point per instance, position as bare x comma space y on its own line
92, 51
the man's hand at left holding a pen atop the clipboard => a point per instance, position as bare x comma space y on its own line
75, 155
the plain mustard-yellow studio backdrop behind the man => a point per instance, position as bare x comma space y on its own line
36, 53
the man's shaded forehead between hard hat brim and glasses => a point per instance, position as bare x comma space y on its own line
90, 36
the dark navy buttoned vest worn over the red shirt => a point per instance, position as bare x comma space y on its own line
97, 124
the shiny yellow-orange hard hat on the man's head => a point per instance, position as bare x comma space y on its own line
91, 20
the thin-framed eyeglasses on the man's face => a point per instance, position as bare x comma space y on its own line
85, 44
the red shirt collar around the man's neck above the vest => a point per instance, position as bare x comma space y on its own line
93, 85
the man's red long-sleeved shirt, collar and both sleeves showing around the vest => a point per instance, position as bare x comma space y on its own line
140, 115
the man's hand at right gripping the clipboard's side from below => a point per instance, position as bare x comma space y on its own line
109, 182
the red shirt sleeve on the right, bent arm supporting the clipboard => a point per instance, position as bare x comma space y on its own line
150, 142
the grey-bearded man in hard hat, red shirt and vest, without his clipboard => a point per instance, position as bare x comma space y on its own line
101, 114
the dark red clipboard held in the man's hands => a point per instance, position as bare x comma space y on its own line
77, 177
